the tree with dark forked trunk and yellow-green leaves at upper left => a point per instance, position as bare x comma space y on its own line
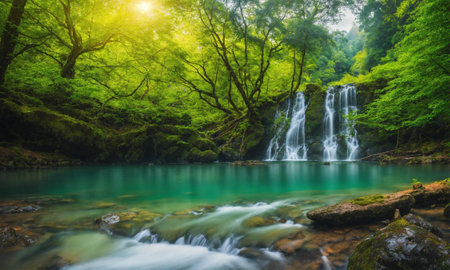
73, 31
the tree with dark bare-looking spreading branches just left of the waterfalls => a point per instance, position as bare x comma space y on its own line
240, 38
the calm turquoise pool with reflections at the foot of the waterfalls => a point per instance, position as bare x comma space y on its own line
213, 182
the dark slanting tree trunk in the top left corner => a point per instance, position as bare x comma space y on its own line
9, 36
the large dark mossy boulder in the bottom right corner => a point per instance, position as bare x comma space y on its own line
401, 245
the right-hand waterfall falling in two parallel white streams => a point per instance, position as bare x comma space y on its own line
345, 106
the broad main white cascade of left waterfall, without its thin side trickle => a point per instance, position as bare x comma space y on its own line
295, 137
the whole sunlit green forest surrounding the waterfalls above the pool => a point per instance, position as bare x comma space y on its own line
176, 81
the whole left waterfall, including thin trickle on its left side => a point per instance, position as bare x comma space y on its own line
294, 144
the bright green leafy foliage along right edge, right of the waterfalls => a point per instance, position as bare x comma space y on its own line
417, 94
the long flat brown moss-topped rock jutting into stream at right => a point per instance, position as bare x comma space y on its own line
362, 210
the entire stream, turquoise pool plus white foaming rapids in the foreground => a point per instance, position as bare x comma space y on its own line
213, 216
